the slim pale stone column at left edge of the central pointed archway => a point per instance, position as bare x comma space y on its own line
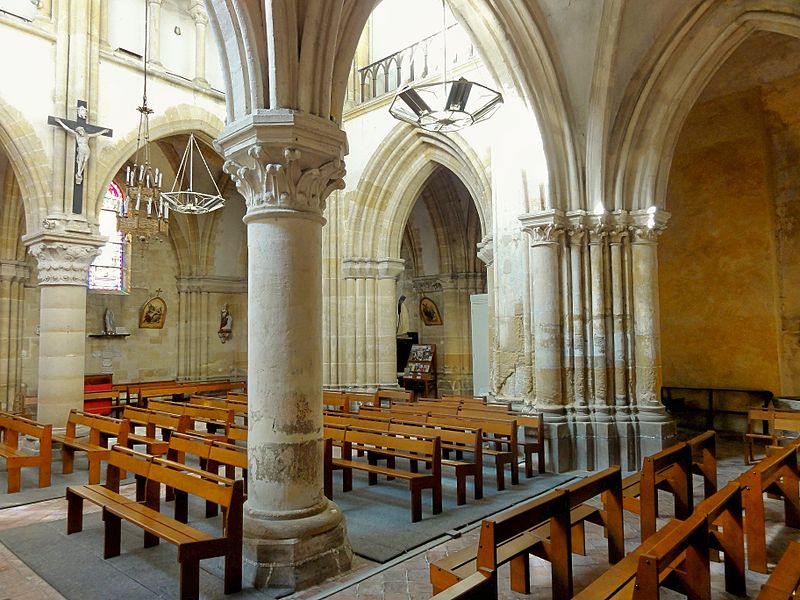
389, 269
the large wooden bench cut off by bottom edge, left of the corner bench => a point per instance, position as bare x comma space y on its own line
677, 555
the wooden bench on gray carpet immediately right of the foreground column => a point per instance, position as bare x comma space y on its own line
380, 446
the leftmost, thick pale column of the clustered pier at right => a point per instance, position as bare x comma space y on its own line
545, 230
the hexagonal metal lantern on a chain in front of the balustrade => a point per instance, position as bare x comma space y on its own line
447, 105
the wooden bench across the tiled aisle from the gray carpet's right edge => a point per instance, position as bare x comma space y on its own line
530, 532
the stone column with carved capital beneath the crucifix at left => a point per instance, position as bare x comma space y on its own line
63, 266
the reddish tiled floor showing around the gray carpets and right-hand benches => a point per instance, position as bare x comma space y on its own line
407, 577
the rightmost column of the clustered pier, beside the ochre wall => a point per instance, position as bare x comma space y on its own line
656, 430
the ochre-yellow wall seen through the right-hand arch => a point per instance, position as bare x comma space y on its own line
720, 267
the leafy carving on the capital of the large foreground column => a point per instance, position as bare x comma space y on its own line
285, 185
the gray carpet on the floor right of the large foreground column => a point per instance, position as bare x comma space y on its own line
379, 517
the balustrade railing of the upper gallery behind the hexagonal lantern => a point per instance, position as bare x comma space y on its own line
418, 61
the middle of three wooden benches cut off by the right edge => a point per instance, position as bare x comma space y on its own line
776, 474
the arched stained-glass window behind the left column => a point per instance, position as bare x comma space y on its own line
108, 272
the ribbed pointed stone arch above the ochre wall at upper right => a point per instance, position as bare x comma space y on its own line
679, 68
